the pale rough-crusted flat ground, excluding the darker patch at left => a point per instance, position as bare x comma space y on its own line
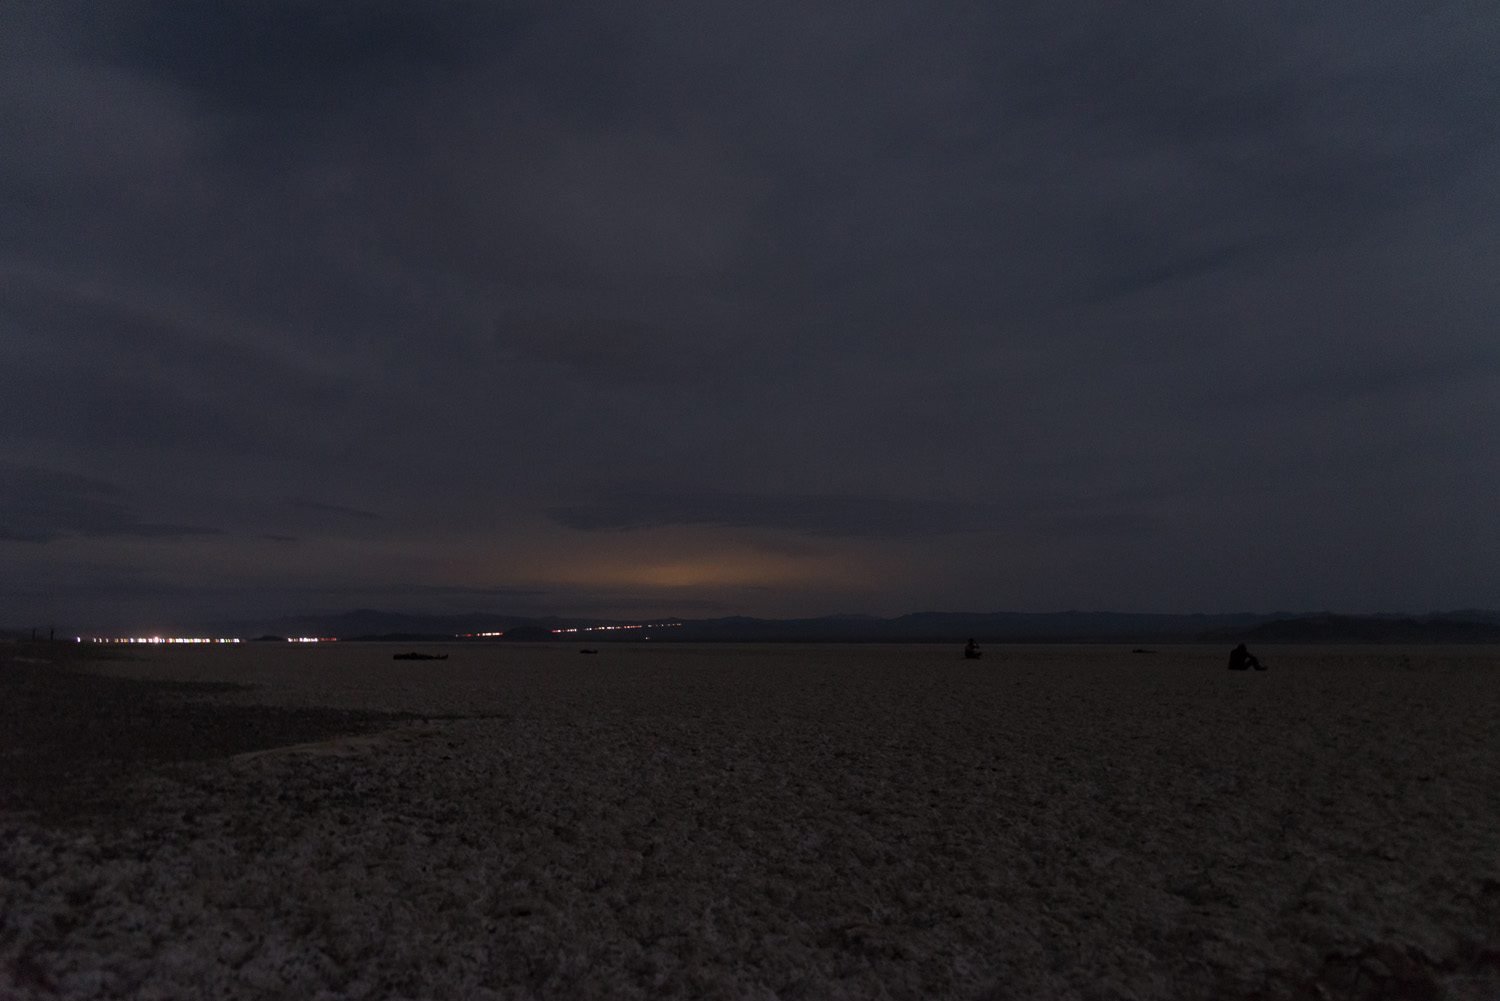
671, 822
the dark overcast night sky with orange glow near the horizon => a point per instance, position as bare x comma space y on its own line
769, 308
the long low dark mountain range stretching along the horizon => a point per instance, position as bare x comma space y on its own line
1475, 627
